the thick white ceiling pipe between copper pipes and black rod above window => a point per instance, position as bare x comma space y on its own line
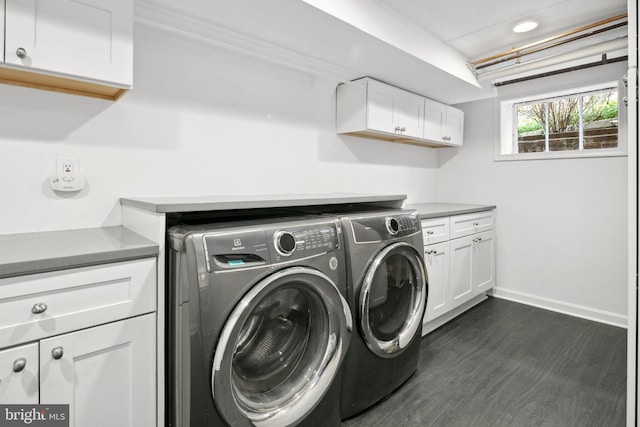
585, 52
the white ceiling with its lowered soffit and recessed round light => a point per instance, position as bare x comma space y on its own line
305, 34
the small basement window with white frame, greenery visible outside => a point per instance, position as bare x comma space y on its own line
581, 122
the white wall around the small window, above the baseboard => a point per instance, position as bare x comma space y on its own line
562, 224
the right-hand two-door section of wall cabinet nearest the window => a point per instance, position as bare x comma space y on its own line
443, 123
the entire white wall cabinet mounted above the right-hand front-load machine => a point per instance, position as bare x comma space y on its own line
369, 108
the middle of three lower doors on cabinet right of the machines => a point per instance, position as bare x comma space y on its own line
461, 270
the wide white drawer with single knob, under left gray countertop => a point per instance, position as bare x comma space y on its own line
39, 305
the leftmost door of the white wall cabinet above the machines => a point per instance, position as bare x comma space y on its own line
381, 107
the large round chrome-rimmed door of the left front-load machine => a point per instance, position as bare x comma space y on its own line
281, 349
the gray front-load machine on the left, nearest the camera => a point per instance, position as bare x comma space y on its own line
258, 325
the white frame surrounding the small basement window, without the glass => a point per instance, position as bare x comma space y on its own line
505, 147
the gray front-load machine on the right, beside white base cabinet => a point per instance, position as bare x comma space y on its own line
387, 291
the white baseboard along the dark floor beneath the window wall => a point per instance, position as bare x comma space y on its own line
561, 307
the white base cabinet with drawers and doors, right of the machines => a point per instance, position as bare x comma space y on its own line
459, 270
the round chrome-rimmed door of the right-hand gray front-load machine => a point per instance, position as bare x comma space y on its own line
392, 299
